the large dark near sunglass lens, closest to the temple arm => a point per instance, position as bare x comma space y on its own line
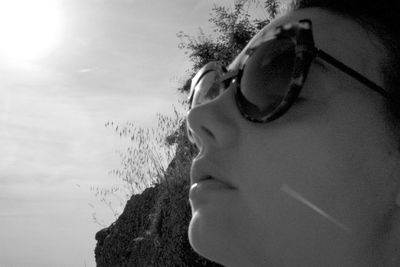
267, 75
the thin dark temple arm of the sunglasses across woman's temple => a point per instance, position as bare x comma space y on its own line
331, 60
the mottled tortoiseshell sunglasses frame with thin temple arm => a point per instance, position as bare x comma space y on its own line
301, 35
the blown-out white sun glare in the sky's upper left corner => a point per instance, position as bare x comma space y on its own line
29, 29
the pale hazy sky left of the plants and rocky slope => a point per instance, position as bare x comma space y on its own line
67, 67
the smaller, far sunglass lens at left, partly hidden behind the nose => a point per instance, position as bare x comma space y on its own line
207, 88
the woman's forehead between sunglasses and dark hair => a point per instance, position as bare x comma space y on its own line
343, 38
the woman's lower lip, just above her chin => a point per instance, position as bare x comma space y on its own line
207, 187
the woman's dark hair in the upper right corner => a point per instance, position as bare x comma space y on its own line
381, 19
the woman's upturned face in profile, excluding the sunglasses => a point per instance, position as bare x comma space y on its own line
310, 188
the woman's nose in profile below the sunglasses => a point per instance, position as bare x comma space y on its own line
214, 124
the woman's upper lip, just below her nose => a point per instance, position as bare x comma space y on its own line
203, 169
